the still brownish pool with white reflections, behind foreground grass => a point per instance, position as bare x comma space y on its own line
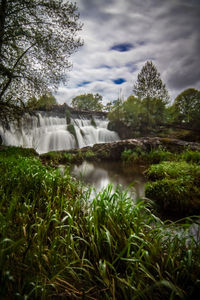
100, 174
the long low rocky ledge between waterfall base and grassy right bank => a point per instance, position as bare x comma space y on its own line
114, 150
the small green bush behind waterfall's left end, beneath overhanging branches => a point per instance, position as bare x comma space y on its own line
44, 102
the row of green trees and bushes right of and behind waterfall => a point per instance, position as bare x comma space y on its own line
148, 107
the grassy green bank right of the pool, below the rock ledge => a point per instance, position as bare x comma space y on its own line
174, 179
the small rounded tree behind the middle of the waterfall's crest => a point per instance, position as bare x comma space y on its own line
88, 102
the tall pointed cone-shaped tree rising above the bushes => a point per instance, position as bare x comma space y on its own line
149, 84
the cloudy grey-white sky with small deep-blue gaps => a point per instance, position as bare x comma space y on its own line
121, 35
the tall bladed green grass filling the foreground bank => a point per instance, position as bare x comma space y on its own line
55, 243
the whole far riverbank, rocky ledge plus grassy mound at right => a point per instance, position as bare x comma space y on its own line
175, 193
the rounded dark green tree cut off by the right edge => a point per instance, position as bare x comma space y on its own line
187, 107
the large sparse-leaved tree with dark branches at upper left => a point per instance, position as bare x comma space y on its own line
36, 40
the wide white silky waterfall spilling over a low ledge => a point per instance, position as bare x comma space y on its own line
45, 132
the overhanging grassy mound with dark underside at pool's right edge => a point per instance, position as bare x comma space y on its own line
175, 187
